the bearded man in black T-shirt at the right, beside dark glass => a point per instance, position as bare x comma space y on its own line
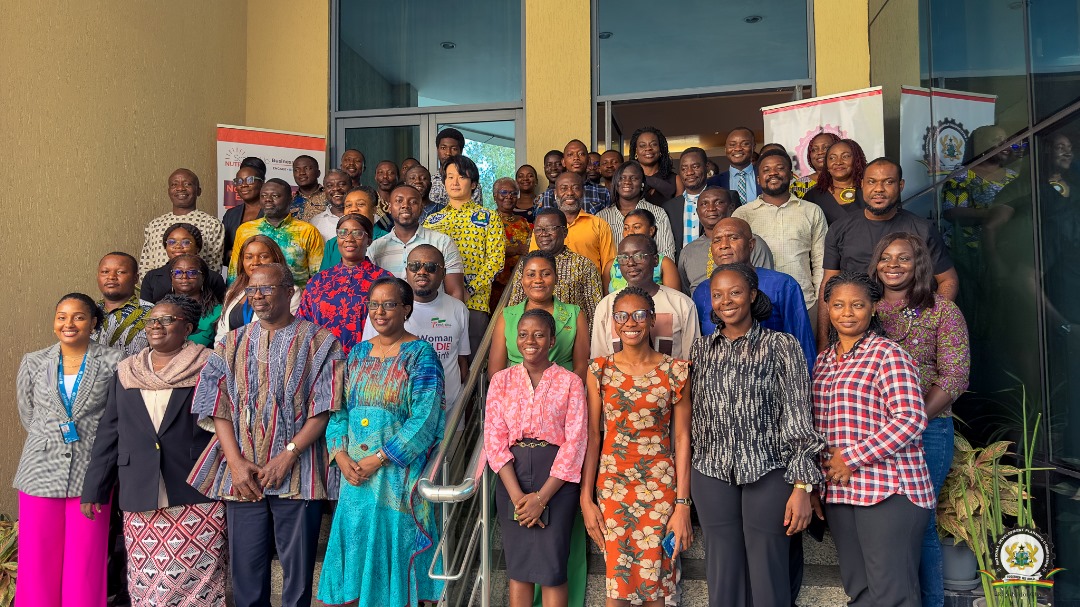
852, 240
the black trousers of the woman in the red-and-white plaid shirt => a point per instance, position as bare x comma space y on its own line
880, 548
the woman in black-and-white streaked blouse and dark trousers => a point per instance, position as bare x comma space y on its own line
755, 450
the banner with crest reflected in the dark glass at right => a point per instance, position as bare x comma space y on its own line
936, 127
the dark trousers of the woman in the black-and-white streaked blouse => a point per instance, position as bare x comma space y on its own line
748, 549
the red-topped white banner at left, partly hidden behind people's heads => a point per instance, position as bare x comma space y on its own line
278, 150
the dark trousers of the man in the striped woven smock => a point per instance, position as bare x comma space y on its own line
255, 530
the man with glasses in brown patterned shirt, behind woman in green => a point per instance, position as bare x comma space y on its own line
579, 281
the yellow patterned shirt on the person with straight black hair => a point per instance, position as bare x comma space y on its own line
482, 242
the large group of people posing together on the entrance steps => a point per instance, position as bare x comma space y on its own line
775, 352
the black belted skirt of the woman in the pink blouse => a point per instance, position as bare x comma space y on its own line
537, 556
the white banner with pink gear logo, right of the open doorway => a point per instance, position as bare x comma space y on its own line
856, 115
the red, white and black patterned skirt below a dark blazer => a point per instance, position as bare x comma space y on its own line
178, 557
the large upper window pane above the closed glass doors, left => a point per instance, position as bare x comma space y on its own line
421, 55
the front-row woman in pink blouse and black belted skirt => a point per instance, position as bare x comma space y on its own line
535, 436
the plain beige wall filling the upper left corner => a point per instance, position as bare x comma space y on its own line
102, 101
